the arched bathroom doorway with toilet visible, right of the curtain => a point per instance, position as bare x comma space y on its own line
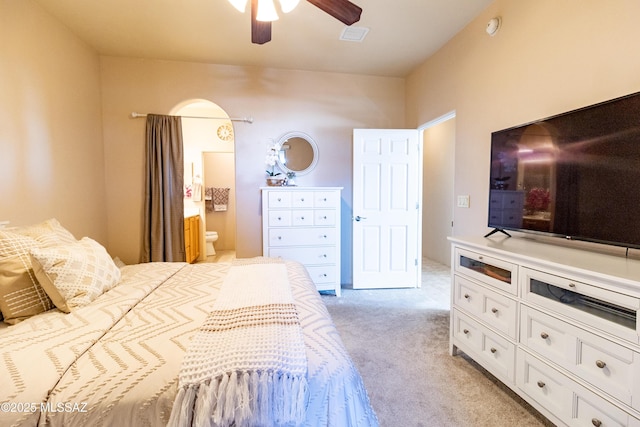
209, 170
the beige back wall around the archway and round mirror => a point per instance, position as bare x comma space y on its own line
326, 106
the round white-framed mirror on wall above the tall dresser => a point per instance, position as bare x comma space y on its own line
298, 153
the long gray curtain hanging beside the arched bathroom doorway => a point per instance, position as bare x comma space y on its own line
164, 204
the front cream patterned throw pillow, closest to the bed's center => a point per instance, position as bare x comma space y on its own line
74, 274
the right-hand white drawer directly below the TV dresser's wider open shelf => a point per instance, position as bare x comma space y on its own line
606, 365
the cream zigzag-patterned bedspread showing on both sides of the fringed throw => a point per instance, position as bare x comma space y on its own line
116, 361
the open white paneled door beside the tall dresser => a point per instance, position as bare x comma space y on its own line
386, 208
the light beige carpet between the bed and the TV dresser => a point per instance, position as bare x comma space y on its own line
399, 341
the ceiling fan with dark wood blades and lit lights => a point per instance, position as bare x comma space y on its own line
263, 12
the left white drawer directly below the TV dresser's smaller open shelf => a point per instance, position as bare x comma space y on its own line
497, 310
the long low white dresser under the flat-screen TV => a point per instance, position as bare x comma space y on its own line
557, 325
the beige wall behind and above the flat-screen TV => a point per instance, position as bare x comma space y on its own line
549, 57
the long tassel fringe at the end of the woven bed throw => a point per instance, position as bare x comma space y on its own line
278, 399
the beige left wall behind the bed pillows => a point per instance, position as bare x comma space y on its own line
51, 151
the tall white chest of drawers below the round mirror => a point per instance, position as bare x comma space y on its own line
303, 224
